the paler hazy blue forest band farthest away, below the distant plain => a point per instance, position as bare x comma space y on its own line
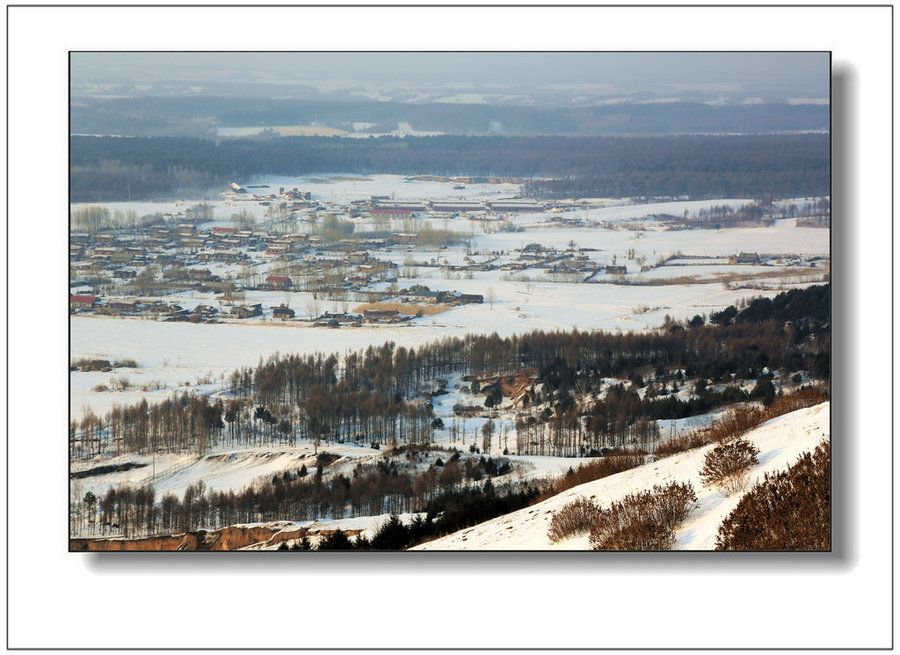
199, 116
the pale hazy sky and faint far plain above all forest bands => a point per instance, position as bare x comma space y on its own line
736, 75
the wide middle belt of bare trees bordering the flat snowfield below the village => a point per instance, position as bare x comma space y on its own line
370, 397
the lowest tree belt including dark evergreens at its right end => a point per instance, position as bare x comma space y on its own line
452, 495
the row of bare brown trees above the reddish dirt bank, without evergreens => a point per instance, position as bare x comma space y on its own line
371, 490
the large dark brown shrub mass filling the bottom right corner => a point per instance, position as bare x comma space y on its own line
788, 510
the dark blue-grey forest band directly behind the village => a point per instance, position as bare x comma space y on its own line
110, 168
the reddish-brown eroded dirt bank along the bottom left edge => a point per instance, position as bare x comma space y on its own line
231, 538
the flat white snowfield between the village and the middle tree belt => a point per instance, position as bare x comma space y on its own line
178, 354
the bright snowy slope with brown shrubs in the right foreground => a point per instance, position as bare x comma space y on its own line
780, 442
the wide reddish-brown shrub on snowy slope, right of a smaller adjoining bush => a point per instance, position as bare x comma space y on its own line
644, 521
